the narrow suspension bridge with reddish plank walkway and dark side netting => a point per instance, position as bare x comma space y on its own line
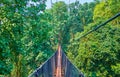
57, 66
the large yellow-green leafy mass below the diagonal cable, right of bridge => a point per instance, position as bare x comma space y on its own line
98, 52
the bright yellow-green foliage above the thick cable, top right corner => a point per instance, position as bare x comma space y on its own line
106, 9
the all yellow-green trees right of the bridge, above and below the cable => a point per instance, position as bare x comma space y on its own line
97, 54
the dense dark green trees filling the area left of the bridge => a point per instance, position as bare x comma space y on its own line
21, 41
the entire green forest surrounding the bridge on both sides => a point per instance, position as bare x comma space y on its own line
29, 35
